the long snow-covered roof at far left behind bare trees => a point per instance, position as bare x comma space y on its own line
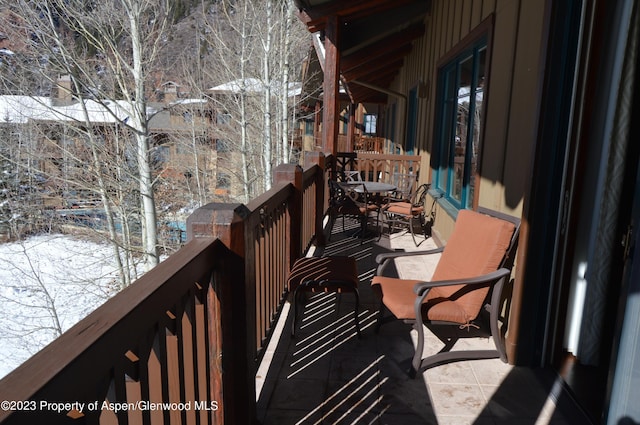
22, 109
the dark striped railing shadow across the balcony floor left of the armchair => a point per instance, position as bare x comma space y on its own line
327, 375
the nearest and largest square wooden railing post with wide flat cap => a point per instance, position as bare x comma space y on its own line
230, 311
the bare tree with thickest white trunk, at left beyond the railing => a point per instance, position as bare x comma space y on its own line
109, 50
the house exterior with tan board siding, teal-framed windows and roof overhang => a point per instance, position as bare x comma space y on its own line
524, 107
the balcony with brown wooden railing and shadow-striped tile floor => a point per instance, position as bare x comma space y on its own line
199, 338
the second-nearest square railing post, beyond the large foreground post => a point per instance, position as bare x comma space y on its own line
291, 173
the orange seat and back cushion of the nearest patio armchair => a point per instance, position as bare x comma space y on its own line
476, 246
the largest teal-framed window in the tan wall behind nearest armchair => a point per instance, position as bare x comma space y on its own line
460, 103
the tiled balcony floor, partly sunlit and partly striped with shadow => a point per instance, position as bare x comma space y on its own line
326, 375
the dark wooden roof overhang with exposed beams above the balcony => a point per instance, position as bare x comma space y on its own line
374, 38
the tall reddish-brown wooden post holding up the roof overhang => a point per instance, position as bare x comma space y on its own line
331, 85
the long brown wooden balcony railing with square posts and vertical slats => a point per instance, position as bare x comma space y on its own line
182, 344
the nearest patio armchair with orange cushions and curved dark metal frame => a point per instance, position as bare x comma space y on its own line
464, 297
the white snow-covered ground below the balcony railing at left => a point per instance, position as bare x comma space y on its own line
47, 284
